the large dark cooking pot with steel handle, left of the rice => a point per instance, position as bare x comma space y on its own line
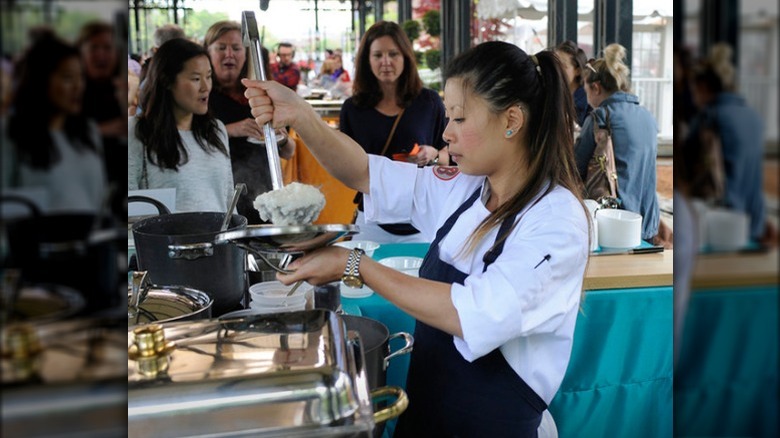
217, 270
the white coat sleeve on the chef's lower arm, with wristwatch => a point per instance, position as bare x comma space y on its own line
531, 286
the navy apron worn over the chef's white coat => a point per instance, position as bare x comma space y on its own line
451, 397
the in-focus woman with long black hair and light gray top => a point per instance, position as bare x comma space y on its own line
175, 142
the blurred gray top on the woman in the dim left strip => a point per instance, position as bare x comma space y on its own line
75, 184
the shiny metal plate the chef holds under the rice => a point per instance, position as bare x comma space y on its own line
290, 239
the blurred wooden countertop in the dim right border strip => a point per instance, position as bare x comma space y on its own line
729, 270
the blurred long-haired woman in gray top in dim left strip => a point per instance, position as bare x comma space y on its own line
49, 143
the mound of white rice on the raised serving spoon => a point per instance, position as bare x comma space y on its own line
294, 204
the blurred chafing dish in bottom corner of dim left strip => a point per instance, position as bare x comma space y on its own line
64, 378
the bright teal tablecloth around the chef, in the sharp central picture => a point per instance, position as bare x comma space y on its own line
619, 380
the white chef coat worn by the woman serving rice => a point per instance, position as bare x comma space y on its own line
524, 304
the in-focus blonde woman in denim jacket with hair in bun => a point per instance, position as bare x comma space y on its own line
634, 139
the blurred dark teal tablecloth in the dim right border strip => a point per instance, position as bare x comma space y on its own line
725, 383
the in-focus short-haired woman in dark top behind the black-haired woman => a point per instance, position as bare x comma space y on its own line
248, 157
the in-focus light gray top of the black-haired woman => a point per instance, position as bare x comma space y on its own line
204, 183
